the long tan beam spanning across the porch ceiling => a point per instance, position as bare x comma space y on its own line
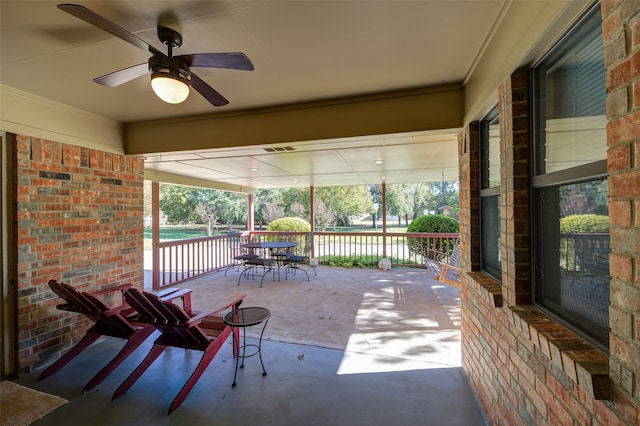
432, 108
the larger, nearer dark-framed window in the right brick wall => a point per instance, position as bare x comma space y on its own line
571, 222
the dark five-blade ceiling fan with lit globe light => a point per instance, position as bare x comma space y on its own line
171, 75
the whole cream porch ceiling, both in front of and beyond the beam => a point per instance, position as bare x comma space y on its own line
302, 51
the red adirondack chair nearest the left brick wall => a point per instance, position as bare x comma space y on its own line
109, 321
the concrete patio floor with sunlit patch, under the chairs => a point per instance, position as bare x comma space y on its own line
349, 347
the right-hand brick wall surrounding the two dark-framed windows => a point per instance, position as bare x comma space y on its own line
525, 368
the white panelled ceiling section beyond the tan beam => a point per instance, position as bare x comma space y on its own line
403, 158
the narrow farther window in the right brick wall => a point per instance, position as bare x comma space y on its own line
490, 194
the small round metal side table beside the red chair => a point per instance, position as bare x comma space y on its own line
241, 318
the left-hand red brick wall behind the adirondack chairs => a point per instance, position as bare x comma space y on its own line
78, 218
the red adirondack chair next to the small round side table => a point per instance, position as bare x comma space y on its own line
204, 331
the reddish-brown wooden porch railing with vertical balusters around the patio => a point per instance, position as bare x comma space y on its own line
181, 260
